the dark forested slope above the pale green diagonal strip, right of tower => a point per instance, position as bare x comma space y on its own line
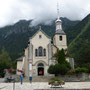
72, 32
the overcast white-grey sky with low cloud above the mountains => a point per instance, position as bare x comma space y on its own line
42, 11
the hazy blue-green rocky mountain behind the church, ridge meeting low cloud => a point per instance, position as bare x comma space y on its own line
14, 38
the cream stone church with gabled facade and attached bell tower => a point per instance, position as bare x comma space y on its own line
38, 55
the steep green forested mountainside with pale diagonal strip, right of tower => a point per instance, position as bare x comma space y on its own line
80, 40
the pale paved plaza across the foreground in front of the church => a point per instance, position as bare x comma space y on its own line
44, 85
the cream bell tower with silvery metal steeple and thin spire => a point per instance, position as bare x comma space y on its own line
59, 39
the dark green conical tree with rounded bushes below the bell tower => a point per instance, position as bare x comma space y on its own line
62, 66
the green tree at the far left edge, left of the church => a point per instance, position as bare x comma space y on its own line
5, 62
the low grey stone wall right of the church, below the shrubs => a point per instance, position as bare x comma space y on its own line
77, 77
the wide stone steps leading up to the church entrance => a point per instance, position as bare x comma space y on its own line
39, 79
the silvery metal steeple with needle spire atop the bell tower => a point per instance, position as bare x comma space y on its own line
58, 22
